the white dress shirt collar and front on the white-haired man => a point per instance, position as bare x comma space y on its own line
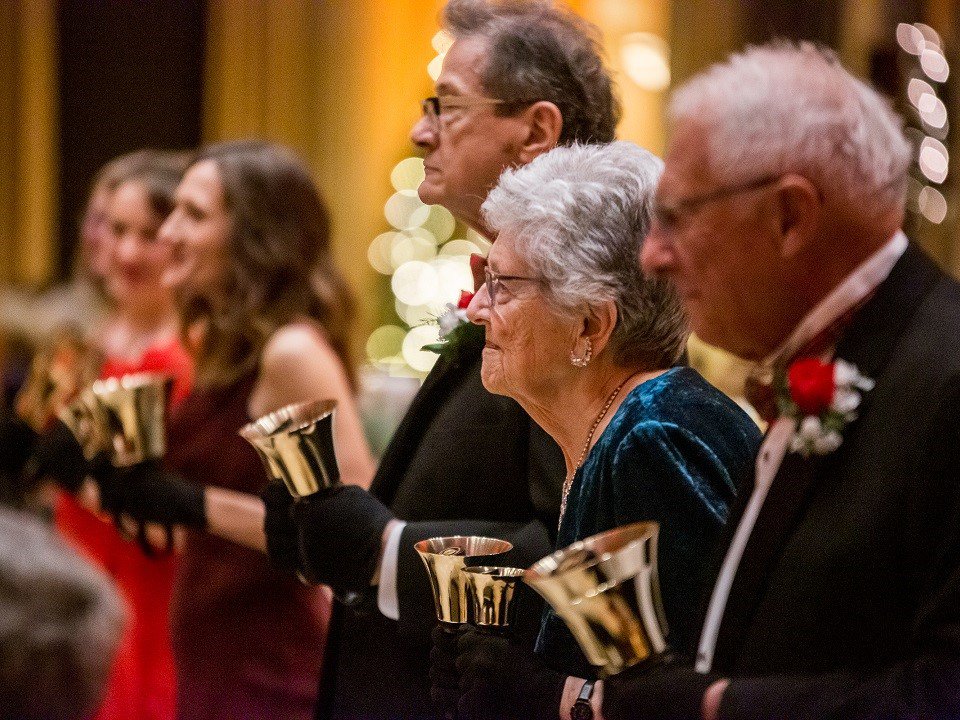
857, 286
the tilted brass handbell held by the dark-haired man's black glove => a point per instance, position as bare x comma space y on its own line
295, 444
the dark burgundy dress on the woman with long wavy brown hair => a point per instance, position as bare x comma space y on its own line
248, 641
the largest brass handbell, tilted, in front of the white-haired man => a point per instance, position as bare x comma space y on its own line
606, 589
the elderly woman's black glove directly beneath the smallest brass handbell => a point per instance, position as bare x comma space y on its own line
501, 678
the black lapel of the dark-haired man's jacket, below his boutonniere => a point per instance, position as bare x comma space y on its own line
437, 386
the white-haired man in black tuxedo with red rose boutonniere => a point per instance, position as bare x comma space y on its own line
837, 591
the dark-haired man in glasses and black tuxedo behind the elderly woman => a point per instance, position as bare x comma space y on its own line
520, 78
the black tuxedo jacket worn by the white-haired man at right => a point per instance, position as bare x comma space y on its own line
846, 603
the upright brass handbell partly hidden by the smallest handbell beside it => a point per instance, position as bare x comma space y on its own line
445, 558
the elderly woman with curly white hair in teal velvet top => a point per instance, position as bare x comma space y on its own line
588, 345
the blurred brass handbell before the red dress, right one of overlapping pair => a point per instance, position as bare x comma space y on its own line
133, 416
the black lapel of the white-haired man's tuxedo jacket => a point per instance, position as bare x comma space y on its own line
868, 343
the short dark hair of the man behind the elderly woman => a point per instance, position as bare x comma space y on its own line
541, 51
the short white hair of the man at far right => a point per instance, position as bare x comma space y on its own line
788, 107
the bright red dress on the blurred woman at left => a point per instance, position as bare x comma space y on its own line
141, 685
